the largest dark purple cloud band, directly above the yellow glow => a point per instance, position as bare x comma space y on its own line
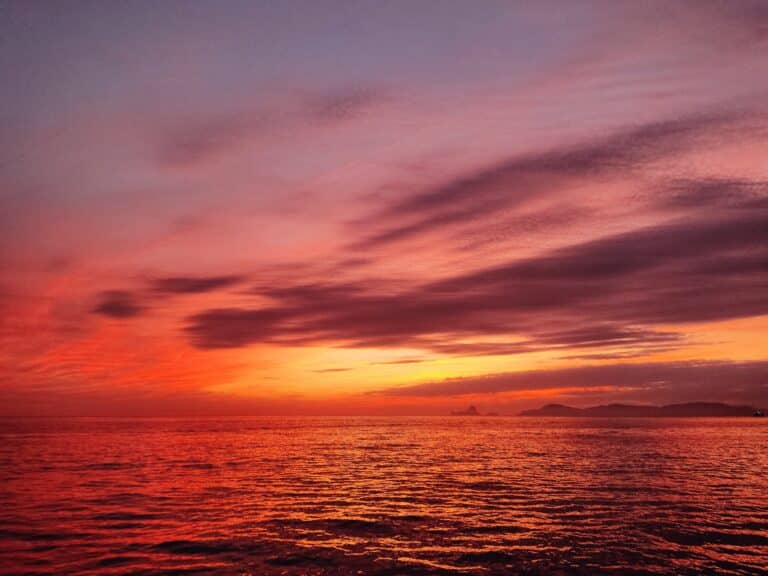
616, 291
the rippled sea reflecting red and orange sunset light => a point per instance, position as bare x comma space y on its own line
383, 496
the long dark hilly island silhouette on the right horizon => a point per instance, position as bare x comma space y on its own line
623, 410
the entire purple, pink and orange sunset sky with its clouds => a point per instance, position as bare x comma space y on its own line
336, 207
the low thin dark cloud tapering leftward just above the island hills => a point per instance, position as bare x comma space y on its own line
686, 379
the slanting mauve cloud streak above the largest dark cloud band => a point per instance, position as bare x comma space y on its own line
515, 182
